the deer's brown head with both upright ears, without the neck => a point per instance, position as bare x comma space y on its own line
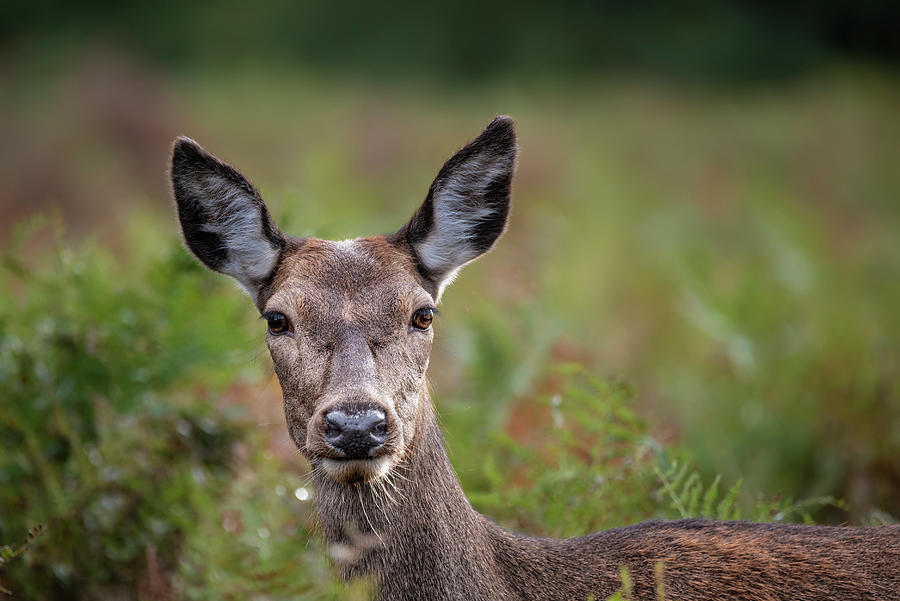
349, 323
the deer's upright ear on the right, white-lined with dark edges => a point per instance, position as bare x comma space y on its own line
467, 206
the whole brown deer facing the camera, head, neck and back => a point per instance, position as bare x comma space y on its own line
349, 331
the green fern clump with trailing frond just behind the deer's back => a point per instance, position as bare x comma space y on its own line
592, 465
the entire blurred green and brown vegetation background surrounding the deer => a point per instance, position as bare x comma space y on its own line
694, 311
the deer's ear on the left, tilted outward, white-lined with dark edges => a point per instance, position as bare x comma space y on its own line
223, 218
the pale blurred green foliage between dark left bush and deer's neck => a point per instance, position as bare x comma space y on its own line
257, 541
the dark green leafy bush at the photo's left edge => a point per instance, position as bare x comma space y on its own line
107, 447
